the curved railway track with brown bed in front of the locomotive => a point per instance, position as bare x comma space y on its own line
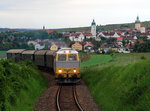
67, 99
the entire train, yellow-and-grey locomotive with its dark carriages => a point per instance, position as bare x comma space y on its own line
65, 63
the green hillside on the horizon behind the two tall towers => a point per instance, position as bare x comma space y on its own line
105, 27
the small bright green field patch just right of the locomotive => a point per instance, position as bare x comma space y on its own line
96, 60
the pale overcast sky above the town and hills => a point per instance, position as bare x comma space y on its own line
70, 13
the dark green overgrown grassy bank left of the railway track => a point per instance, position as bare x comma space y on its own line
20, 85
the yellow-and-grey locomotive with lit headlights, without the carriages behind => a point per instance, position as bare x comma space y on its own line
67, 66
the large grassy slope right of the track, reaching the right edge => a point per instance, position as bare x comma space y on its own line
121, 84
